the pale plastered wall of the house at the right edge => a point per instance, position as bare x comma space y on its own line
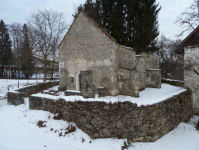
191, 79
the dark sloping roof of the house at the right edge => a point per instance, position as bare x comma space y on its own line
185, 42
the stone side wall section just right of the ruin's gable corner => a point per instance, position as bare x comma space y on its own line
127, 71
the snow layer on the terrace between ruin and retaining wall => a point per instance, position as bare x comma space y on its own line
148, 96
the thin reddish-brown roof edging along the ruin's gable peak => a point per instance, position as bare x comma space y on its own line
106, 33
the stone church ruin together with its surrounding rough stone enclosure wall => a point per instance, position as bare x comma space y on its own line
92, 62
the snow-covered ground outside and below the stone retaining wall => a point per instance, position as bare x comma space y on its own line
19, 131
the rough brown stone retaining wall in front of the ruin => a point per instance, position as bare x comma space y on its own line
122, 119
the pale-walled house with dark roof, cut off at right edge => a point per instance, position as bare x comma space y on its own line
190, 48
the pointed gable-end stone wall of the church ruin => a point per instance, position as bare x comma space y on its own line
87, 47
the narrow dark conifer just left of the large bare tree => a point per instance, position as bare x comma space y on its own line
26, 56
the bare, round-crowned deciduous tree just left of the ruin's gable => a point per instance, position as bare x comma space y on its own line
47, 30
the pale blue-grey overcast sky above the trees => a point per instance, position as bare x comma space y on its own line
17, 11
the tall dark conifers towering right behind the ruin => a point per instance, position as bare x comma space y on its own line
133, 23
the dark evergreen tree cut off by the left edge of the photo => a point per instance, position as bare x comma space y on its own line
5, 50
